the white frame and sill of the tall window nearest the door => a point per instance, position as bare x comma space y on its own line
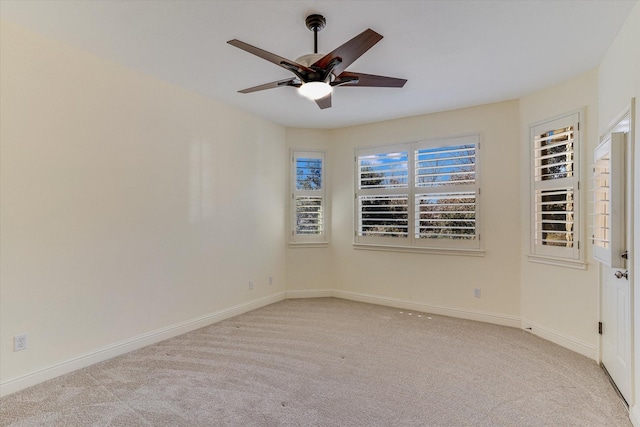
541, 250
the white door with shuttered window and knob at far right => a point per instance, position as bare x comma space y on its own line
616, 287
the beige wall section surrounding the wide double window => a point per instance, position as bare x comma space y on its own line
438, 281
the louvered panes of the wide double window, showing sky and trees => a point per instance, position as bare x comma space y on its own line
439, 213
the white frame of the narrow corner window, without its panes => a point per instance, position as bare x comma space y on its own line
298, 239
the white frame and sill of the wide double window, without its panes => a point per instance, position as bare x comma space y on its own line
412, 242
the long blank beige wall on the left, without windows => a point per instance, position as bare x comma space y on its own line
128, 205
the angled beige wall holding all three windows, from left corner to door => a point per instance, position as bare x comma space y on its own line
558, 303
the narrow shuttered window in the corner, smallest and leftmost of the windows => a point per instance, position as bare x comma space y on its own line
308, 197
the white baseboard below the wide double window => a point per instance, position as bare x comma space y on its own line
498, 319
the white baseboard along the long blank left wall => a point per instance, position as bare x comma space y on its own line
104, 353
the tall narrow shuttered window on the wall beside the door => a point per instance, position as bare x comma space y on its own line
555, 189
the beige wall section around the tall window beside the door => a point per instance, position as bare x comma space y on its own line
561, 303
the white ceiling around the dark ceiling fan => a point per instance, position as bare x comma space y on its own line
454, 53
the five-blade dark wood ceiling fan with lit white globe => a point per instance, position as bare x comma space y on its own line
317, 74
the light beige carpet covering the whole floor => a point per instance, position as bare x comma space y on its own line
331, 362
